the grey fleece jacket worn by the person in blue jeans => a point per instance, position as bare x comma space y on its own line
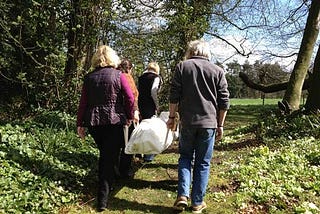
200, 89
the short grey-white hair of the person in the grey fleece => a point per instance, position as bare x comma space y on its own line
198, 48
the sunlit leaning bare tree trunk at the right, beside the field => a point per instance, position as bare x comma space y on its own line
293, 93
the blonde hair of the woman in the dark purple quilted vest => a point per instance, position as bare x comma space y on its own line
105, 56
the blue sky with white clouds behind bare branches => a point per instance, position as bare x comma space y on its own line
261, 39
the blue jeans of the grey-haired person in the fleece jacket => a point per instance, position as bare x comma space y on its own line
197, 144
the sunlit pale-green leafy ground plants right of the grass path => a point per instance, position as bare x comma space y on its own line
286, 178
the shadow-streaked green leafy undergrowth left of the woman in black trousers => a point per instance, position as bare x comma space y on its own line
43, 168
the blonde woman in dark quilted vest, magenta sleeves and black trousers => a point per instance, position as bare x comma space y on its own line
106, 105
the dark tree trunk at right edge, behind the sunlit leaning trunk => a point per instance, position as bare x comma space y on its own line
313, 100
